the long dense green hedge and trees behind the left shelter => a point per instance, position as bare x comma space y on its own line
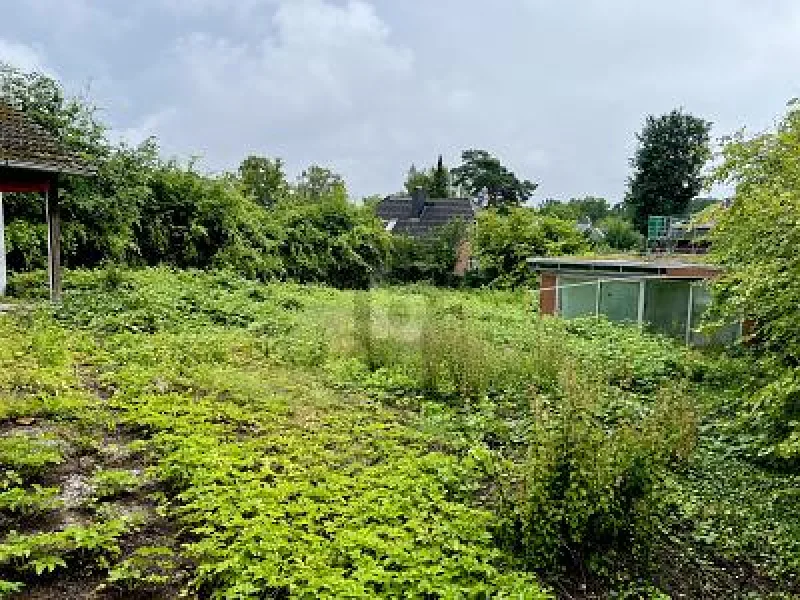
141, 210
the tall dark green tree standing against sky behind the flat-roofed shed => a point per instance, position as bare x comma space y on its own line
667, 167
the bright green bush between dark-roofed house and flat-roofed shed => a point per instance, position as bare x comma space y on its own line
504, 241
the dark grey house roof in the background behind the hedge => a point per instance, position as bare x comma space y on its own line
435, 213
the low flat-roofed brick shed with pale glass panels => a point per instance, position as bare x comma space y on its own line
665, 296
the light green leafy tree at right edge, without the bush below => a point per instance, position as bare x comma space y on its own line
758, 237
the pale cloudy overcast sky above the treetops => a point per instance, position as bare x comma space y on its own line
557, 90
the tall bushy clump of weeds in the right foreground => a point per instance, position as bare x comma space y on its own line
584, 492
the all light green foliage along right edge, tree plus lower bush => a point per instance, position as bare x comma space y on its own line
756, 241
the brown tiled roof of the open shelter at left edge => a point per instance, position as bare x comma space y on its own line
25, 145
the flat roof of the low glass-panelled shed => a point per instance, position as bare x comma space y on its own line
664, 267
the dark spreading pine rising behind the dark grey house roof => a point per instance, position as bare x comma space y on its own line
481, 171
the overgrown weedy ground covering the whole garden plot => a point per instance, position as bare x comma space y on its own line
181, 434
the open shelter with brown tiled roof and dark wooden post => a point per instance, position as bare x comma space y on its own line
31, 160
